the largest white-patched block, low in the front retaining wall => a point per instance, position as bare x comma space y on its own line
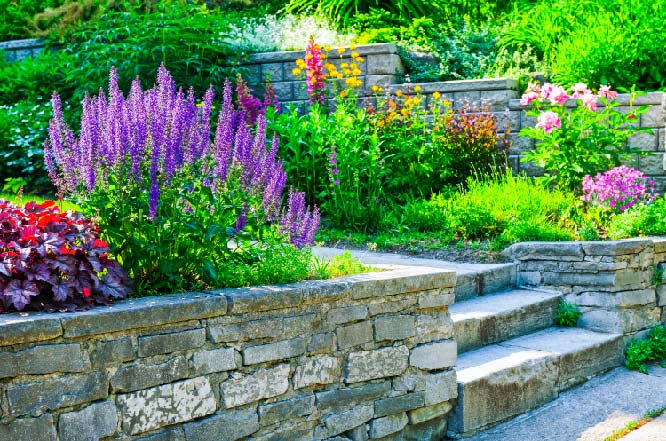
173, 403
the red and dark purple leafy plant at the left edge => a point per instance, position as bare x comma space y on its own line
54, 261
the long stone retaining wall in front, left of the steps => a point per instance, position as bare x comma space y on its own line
366, 356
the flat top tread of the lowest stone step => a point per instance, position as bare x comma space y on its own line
549, 343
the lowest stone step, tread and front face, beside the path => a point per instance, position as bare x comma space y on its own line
503, 380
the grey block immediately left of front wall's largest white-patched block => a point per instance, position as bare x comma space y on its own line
93, 422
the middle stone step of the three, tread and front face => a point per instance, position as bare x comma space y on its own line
497, 317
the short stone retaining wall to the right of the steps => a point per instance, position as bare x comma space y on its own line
616, 284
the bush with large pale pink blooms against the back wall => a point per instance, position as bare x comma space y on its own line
578, 132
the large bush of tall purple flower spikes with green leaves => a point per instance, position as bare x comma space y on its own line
147, 162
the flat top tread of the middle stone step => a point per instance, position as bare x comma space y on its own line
499, 303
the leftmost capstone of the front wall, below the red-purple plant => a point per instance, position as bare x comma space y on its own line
32, 327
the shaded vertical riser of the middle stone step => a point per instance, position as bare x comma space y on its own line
475, 333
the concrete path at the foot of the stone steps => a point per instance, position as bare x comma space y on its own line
592, 411
